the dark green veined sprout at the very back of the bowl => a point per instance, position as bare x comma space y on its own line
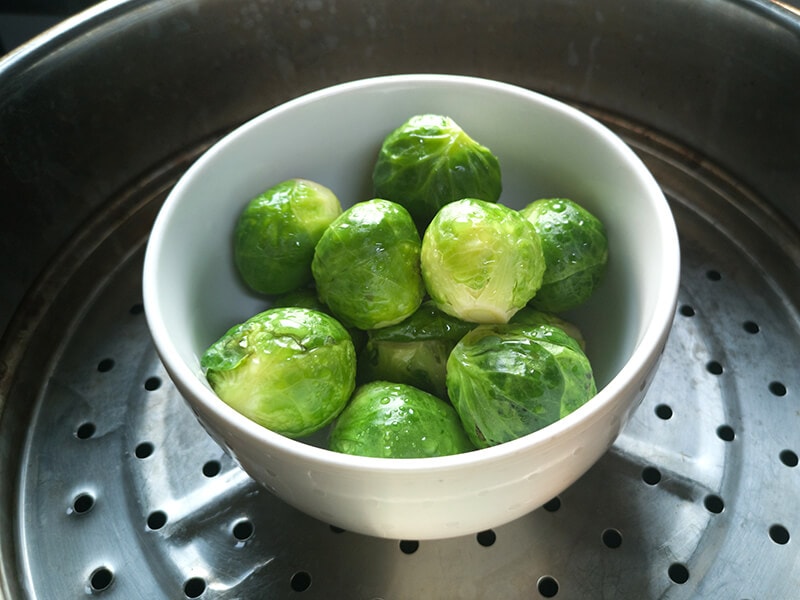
430, 161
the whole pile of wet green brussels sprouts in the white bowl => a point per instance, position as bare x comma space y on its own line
422, 322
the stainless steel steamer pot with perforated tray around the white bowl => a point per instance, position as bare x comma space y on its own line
108, 485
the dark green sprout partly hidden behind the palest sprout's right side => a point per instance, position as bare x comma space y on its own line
575, 250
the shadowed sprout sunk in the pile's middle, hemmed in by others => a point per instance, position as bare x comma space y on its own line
414, 351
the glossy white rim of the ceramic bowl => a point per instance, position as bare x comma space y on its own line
645, 352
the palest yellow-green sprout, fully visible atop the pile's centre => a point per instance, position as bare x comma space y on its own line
481, 262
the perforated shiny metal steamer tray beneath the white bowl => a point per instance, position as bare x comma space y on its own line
123, 495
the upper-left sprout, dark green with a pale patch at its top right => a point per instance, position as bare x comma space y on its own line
276, 233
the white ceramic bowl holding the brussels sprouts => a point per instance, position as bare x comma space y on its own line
546, 149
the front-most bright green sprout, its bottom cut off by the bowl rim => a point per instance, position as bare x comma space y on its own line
391, 420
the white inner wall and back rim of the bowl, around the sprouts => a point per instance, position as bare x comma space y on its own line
546, 149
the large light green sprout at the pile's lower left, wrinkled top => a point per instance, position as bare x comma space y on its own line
290, 370
